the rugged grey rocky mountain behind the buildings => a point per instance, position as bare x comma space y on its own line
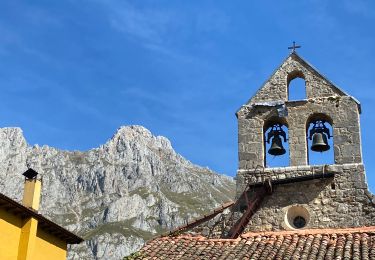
116, 196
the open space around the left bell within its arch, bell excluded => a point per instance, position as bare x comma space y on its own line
282, 160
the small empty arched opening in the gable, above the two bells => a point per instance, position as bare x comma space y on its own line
296, 86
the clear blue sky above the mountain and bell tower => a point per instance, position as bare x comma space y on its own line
72, 72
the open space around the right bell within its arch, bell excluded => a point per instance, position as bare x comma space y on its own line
325, 157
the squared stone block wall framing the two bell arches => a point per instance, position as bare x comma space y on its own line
342, 112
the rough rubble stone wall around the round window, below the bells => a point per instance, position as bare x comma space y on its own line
342, 201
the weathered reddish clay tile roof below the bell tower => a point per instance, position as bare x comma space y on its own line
349, 243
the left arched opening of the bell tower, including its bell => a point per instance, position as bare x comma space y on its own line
276, 146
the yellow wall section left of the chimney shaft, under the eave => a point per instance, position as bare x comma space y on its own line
10, 228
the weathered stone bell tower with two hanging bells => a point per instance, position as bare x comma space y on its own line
302, 195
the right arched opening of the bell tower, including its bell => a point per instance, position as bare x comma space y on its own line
319, 134
